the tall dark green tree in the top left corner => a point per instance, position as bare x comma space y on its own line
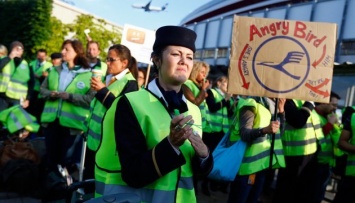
27, 21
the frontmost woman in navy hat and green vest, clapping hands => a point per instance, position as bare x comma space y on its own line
151, 144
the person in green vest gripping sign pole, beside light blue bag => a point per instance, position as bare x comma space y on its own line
255, 127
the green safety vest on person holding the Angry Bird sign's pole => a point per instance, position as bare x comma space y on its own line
257, 153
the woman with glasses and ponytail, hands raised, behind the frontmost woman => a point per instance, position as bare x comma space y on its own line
122, 71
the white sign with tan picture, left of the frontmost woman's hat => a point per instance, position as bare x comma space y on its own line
140, 41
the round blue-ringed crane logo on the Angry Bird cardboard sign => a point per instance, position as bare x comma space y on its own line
282, 77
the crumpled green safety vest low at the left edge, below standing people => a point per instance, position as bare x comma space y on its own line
16, 118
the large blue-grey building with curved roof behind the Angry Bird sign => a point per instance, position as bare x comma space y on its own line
213, 23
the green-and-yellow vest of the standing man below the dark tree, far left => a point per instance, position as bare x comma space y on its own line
18, 87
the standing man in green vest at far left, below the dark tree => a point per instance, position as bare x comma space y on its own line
19, 88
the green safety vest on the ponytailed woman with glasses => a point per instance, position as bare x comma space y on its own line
98, 110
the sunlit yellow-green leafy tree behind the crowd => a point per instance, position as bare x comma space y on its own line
100, 31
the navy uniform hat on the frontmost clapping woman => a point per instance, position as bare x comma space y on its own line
174, 35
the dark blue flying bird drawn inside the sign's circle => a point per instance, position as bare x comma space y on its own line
292, 57
